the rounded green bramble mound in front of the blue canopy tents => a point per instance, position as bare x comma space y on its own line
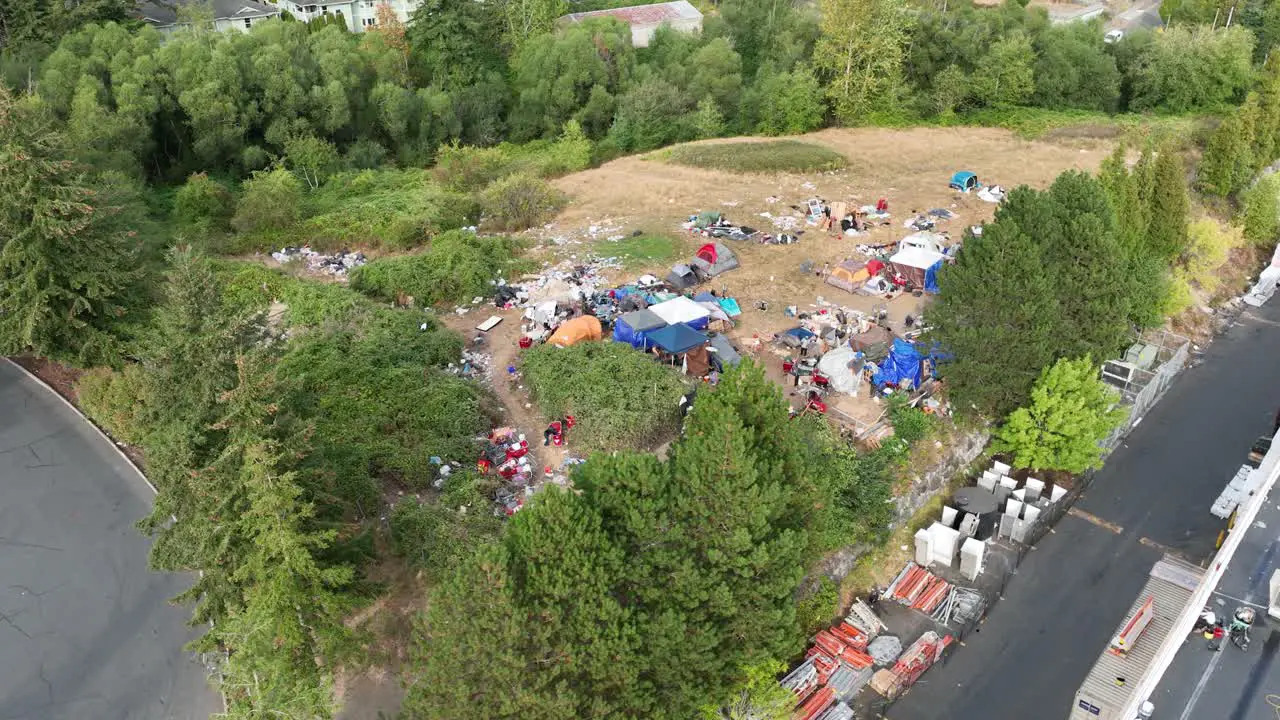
619, 397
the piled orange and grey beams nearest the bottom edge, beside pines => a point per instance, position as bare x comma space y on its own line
836, 667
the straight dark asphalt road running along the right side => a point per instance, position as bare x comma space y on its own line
1154, 496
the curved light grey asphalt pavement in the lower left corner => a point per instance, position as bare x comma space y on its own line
86, 631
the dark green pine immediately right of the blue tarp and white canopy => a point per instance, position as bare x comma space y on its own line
998, 313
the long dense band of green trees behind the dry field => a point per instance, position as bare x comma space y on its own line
479, 74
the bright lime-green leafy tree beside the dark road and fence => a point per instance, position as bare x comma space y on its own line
1071, 413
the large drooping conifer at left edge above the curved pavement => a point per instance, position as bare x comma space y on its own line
65, 266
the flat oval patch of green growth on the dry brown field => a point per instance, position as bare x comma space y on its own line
772, 157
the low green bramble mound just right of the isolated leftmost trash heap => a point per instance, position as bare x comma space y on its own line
458, 267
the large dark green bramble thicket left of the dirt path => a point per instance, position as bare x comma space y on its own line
377, 414
